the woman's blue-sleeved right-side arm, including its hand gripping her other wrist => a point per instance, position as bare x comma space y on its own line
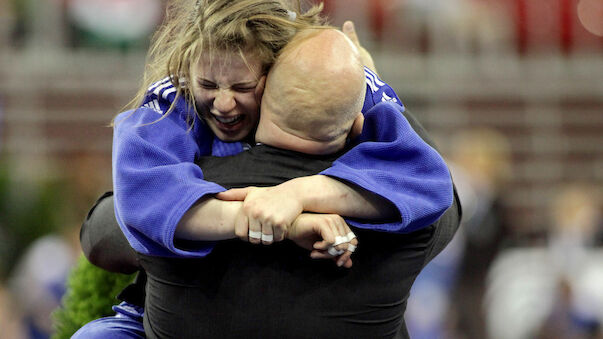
392, 181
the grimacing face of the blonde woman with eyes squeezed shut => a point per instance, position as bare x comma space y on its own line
228, 92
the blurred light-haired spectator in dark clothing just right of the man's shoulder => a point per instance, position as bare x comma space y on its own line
481, 167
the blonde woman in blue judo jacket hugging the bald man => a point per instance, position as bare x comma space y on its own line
213, 56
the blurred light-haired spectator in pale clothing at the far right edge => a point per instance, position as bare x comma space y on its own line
575, 225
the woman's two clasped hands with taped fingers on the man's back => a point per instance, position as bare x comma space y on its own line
272, 214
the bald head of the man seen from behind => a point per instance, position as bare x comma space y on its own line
315, 90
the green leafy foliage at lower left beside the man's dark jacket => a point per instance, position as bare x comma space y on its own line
90, 294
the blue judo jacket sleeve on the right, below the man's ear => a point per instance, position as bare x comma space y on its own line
392, 161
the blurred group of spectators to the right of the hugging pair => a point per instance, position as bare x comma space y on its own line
490, 282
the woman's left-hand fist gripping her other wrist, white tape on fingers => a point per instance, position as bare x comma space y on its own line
267, 213
